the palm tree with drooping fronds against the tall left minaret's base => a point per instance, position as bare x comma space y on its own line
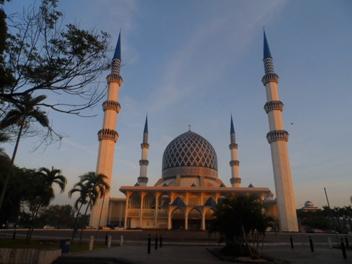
90, 187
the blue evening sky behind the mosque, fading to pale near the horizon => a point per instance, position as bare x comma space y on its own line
197, 62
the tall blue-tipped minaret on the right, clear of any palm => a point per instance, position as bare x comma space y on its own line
278, 140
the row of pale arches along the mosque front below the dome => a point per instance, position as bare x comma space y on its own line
158, 208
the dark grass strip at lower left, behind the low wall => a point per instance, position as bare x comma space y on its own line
46, 244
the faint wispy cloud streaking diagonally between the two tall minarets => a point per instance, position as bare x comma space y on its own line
198, 63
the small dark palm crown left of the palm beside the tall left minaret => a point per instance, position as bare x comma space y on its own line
52, 177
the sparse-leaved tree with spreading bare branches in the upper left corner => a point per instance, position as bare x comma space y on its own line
42, 56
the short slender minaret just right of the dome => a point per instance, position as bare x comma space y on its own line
234, 162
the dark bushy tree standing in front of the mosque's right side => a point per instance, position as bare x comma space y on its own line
241, 221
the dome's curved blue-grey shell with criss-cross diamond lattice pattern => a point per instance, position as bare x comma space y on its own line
189, 150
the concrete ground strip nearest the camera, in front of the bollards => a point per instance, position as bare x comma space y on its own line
199, 254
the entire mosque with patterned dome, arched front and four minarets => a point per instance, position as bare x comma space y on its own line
189, 189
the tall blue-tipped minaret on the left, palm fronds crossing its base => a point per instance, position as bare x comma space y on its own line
107, 137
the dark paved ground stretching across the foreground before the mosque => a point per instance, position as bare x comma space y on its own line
191, 247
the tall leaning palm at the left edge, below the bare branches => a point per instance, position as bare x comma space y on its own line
28, 110
